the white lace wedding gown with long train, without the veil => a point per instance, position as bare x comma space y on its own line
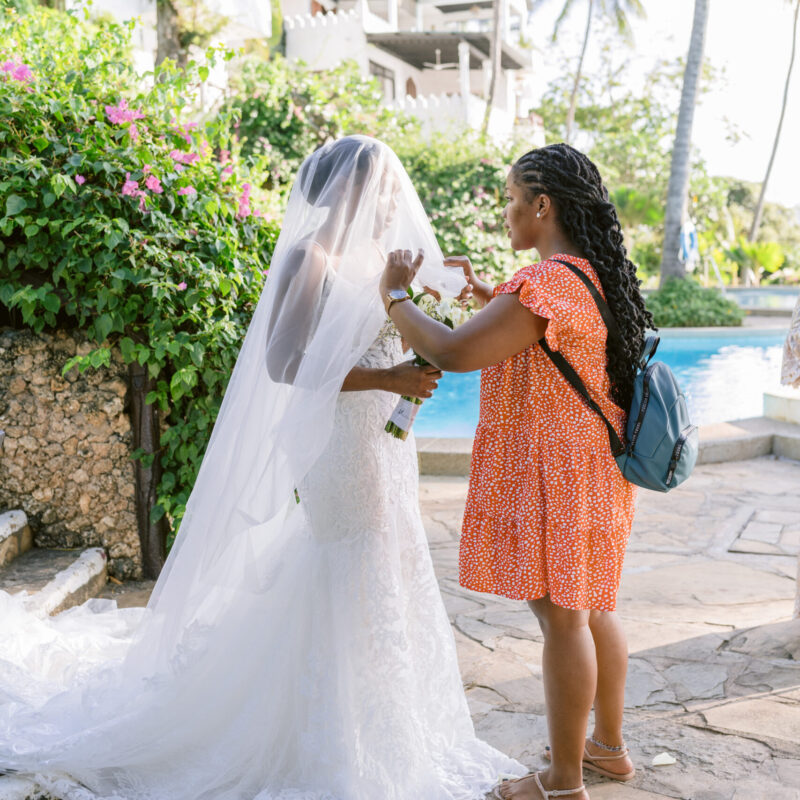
337, 681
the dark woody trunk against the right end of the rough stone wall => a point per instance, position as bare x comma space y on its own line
146, 435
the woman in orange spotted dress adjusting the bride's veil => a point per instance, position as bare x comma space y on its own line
549, 513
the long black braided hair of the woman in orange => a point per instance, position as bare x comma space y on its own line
590, 220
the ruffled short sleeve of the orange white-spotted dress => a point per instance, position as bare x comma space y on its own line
549, 290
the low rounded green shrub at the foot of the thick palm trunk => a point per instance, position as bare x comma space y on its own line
682, 302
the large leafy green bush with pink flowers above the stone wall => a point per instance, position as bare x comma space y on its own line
123, 219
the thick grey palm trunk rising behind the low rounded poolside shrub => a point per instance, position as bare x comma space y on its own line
677, 191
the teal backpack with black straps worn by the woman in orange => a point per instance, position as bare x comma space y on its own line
661, 447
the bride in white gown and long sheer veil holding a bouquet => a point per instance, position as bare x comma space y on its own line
292, 649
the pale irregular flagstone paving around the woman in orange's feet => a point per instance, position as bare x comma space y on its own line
706, 600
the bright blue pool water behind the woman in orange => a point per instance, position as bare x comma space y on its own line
723, 374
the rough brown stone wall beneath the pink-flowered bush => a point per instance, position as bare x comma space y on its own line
66, 456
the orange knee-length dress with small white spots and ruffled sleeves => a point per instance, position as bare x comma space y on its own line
548, 511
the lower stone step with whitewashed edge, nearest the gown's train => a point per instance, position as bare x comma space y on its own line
56, 579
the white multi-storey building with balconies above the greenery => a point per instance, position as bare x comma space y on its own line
431, 56
